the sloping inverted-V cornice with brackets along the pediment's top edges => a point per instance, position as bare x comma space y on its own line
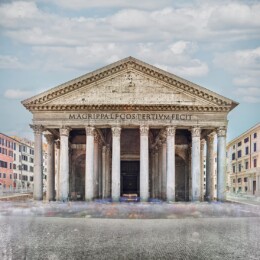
126, 65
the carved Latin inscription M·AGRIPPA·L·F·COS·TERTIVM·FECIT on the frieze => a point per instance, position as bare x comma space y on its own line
134, 116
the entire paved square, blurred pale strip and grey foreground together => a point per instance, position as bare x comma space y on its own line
104, 230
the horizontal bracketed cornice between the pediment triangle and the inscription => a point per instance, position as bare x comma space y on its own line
128, 108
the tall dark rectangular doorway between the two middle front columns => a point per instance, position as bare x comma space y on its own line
130, 177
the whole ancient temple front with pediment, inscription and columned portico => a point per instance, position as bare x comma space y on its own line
130, 128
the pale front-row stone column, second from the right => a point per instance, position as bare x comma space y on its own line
195, 164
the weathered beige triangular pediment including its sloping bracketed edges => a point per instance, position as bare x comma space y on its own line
129, 82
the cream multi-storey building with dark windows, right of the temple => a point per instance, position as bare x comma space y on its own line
243, 162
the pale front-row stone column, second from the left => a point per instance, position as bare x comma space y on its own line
64, 163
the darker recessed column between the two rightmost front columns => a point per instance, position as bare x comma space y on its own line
210, 168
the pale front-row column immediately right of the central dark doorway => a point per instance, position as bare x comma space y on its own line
144, 163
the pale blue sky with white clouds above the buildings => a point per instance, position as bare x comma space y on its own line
44, 43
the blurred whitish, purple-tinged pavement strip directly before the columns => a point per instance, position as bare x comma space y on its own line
103, 209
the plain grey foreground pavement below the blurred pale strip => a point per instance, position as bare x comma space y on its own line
85, 238
